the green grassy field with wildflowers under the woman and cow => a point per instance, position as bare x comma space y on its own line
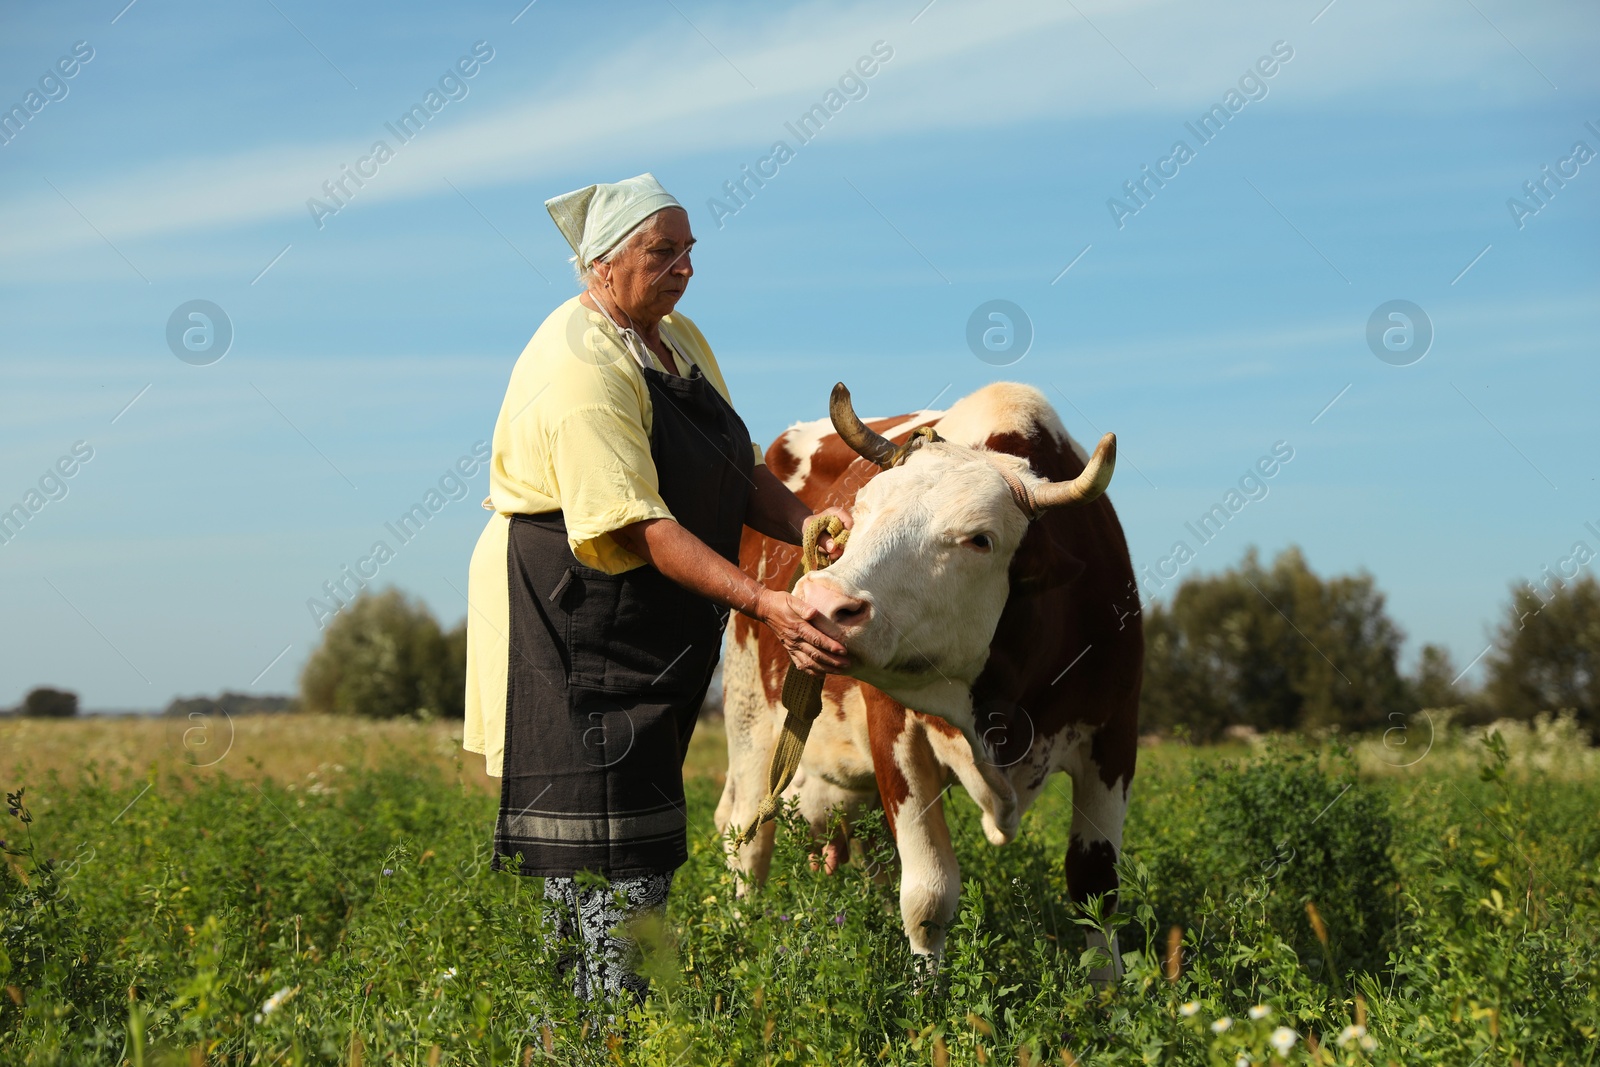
321, 895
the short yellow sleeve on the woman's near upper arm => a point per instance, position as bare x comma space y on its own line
606, 479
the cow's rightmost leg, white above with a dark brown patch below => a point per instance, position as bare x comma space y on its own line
1102, 778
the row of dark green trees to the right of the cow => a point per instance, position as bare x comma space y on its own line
1278, 647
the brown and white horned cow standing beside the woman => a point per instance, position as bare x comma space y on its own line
991, 613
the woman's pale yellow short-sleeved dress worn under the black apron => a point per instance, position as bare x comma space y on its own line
572, 436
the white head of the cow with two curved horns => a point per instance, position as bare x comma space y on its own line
919, 591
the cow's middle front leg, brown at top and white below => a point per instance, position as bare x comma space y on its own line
911, 783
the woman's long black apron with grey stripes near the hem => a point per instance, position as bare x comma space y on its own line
607, 673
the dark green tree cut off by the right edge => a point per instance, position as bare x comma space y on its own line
1548, 652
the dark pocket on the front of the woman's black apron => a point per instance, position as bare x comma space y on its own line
638, 634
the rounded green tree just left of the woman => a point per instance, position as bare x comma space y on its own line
385, 657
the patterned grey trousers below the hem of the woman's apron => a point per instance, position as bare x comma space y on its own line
590, 929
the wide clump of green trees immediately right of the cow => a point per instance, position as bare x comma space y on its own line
1273, 649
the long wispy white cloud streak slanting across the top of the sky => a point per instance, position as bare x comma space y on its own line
956, 68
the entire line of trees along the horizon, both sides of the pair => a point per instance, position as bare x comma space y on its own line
1268, 647
